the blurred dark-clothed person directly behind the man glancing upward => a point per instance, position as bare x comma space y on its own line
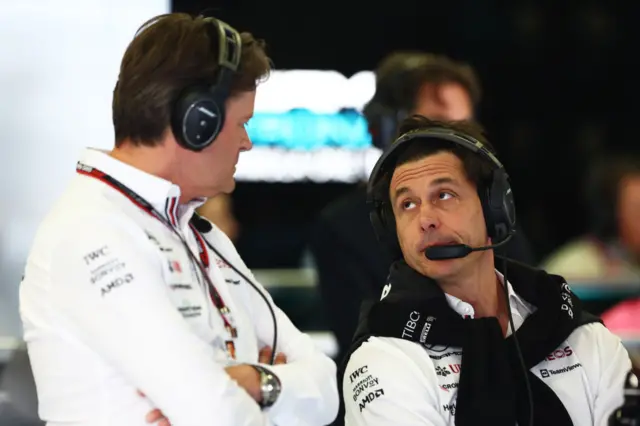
352, 265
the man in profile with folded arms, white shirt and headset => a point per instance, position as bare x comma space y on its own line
129, 302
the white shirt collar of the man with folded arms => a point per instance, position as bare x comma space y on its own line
162, 194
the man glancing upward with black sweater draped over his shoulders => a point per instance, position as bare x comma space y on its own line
437, 348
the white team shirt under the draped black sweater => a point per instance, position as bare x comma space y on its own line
392, 381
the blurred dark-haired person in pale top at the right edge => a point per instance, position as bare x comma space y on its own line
611, 249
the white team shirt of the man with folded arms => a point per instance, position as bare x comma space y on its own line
112, 304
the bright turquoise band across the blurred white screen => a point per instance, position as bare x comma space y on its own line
305, 130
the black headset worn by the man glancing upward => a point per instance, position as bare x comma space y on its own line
495, 195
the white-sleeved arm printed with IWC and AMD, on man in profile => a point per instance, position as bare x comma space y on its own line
107, 283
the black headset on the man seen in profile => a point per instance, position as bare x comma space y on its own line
198, 114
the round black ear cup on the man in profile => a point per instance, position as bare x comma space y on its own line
197, 118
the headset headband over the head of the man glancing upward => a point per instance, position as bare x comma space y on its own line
438, 133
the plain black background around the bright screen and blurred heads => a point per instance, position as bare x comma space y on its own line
560, 88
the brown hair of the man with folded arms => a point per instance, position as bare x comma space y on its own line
169, 53
